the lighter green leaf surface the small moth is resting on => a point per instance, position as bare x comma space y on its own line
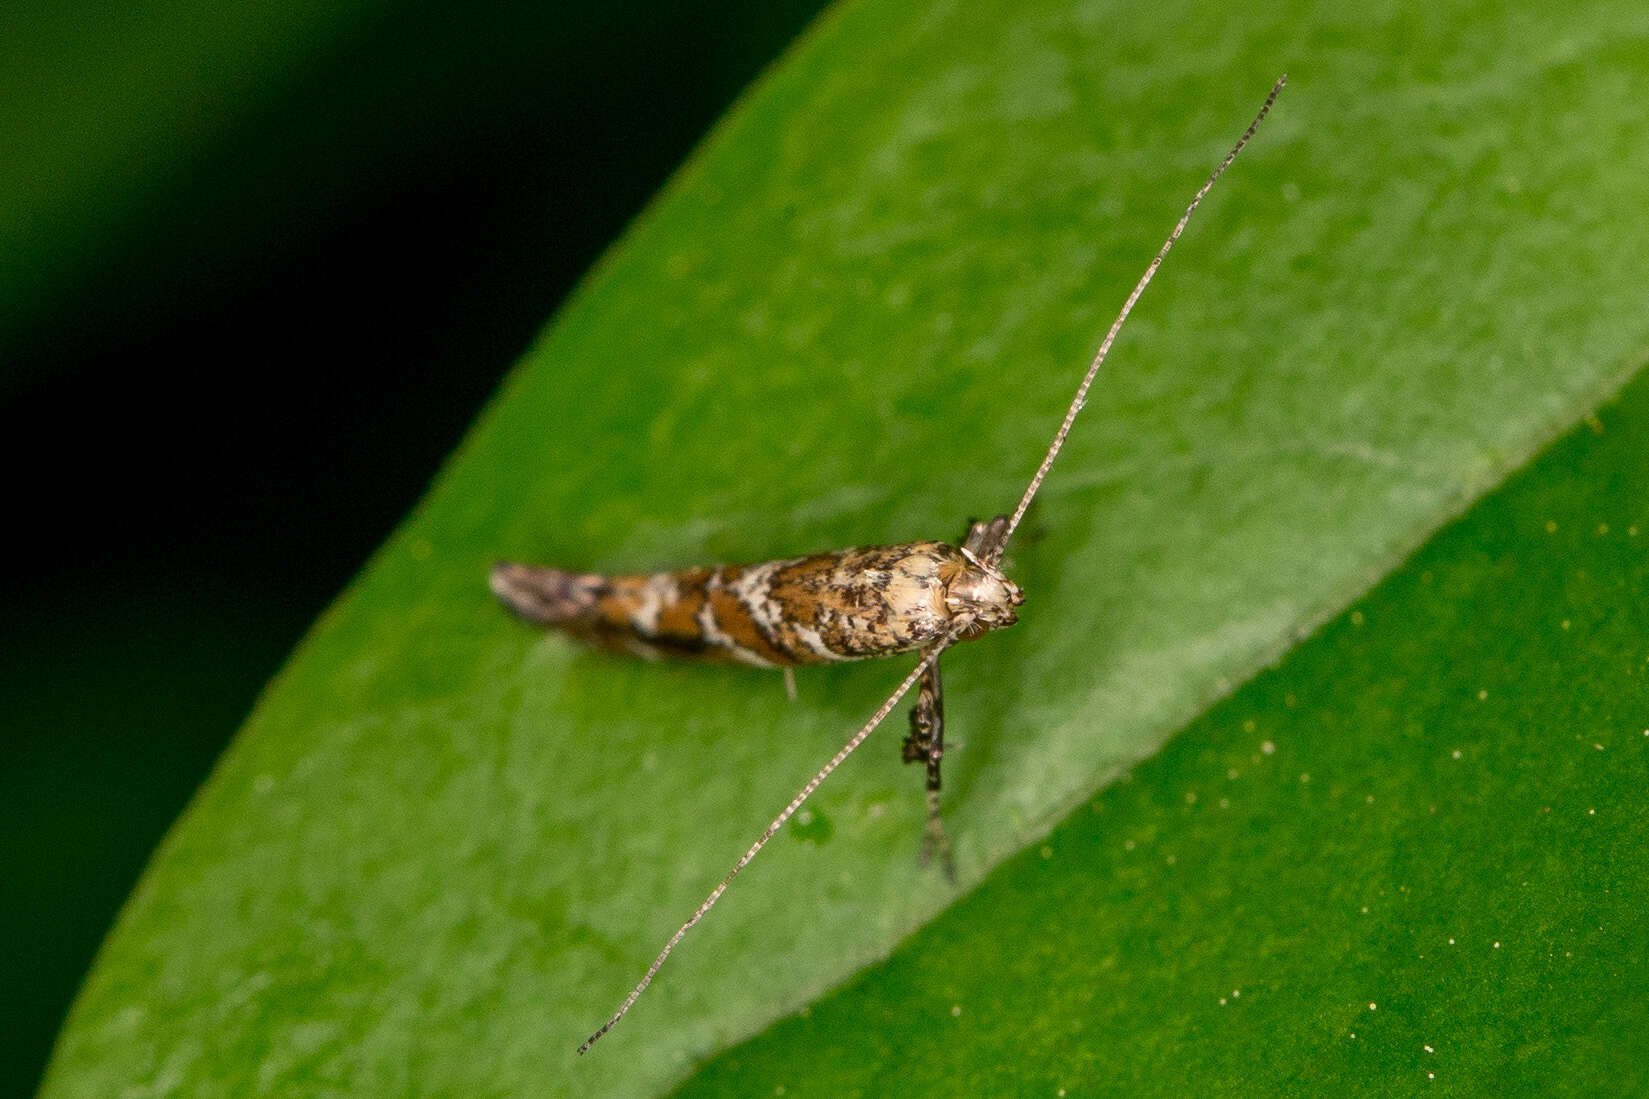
443, 849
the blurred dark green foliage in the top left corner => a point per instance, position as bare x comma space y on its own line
108, 110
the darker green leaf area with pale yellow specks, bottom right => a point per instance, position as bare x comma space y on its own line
1411, 856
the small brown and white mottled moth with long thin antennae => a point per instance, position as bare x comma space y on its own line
847, 605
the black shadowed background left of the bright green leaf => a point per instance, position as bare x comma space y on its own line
212, 425
